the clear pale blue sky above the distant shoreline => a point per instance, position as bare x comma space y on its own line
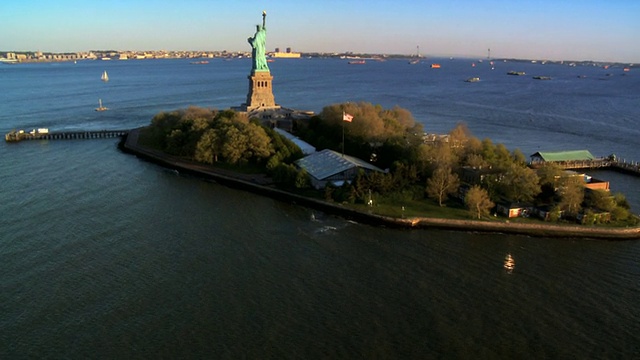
599, 30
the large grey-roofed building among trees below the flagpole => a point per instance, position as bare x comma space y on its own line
328, 166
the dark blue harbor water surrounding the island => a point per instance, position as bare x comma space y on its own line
105, 255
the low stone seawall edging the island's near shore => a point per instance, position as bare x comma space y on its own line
261, 184
